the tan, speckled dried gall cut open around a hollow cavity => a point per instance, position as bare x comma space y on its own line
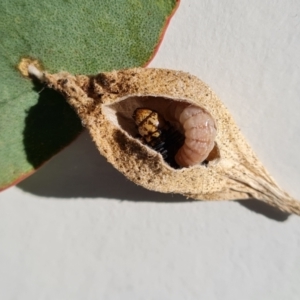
106, 103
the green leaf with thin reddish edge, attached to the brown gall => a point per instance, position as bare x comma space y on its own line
81, 37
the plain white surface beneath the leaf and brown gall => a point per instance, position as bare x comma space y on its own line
77, 229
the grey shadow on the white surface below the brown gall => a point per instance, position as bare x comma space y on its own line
80, 172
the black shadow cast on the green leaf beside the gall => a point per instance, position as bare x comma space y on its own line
50, 125
